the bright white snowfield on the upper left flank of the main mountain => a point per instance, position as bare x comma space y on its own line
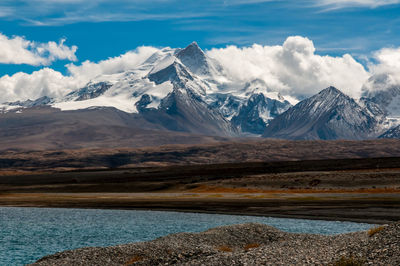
155, 78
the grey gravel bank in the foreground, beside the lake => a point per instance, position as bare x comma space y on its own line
246, 244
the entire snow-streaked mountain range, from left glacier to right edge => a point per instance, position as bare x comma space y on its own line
186, 90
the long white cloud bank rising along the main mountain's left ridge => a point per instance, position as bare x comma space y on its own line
48, 82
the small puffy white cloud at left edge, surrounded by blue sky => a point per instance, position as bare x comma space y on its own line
18, 50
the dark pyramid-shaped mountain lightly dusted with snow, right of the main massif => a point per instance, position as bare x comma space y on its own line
329, 114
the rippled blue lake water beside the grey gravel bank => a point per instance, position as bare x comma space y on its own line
27, 234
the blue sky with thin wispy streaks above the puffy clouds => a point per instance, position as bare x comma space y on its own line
108, 28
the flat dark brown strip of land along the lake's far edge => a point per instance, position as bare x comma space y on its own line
349, 210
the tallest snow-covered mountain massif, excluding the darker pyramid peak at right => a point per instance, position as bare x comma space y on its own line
181, 90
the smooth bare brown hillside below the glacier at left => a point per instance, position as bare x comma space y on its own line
46, 128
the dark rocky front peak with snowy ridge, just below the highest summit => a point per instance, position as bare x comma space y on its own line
184, 108
